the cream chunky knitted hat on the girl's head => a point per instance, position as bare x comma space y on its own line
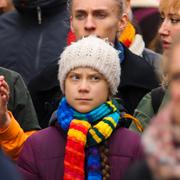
91, 52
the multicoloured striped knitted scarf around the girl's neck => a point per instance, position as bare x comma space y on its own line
85, 130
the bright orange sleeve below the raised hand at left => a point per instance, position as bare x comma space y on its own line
12, 138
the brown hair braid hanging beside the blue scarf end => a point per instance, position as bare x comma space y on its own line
105, 167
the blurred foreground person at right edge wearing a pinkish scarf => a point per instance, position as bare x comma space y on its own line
161, 139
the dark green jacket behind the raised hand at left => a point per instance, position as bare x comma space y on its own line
20, 103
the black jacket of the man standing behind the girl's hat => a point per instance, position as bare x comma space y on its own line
137, 78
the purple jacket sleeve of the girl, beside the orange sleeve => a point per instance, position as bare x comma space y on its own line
26, 163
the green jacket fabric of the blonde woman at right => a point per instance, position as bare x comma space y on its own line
144, 111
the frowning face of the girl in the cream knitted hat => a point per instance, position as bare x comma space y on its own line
85, 89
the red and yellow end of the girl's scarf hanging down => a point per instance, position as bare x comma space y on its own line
74, 152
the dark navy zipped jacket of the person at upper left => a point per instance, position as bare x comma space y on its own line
33, 35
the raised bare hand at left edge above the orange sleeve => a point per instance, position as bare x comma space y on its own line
4, 98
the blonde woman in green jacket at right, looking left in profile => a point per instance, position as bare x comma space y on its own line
157, 98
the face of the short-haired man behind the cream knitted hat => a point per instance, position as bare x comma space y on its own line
99, 17
